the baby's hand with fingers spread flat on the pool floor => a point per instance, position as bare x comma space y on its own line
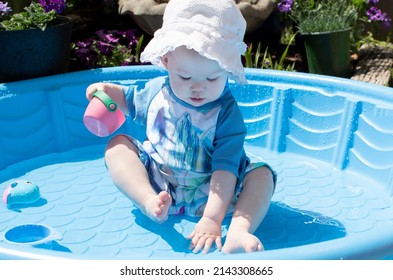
206, 232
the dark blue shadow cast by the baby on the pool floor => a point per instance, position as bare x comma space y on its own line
283, 227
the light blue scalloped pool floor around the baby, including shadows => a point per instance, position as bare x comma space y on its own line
313, 203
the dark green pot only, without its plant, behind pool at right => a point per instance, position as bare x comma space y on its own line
327, 53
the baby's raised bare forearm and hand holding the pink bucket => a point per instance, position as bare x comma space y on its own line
113, 90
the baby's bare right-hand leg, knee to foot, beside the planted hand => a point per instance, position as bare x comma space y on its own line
250, 210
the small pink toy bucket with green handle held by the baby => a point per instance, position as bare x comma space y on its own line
102, 116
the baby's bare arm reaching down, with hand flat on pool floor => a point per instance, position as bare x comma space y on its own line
208, 229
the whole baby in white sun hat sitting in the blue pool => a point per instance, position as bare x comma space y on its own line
193, 161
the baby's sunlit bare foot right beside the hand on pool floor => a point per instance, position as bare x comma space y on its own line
241, 241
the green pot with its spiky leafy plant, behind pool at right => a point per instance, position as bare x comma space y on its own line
325, 27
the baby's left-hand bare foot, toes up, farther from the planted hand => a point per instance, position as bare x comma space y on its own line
156, 206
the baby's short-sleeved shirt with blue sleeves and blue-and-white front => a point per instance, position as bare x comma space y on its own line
187, 138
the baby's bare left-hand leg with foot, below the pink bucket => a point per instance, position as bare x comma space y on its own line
130, 176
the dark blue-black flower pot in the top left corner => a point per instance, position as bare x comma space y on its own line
33, 53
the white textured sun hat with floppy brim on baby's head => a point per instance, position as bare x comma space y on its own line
213, 28
